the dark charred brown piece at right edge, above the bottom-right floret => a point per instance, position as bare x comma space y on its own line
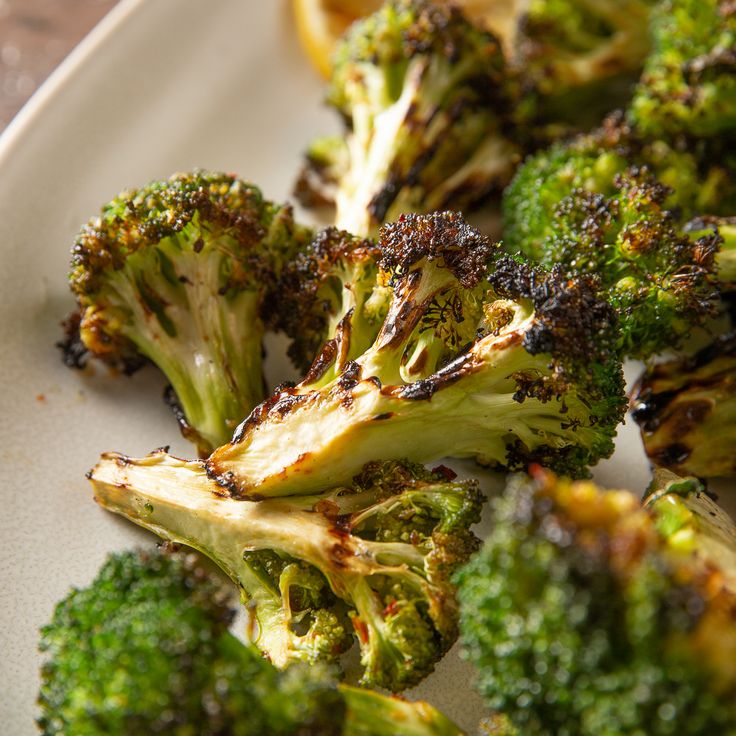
686, 410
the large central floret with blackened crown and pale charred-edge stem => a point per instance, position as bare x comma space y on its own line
510, 365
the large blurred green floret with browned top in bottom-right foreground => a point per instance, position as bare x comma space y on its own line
586, 614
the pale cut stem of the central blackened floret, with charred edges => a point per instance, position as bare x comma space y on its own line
324, 440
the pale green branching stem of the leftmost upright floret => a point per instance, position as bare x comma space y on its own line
209, 348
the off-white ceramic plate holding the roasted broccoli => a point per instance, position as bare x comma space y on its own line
158, 87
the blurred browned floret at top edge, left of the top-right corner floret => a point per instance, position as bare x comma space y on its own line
578, 59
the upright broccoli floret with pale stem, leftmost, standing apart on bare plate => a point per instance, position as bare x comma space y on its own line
177, 272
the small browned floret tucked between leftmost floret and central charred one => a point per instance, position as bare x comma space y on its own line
331, 287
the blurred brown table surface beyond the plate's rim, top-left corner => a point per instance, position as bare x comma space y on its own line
35, 35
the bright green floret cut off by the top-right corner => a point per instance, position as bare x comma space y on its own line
688, 87
